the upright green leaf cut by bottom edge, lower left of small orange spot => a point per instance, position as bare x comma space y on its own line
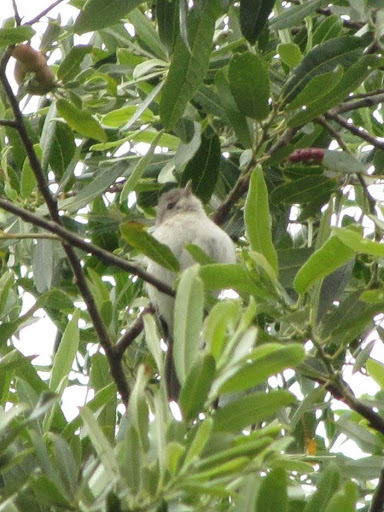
273, 494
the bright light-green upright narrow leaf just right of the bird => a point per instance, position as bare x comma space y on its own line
257, 218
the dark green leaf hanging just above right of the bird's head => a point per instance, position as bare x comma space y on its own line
203, 168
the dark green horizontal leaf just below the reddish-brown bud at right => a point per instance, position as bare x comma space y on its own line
304, 190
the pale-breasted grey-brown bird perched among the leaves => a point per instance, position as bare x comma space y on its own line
181, 220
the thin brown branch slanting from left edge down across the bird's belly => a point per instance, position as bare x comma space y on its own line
76, 241
